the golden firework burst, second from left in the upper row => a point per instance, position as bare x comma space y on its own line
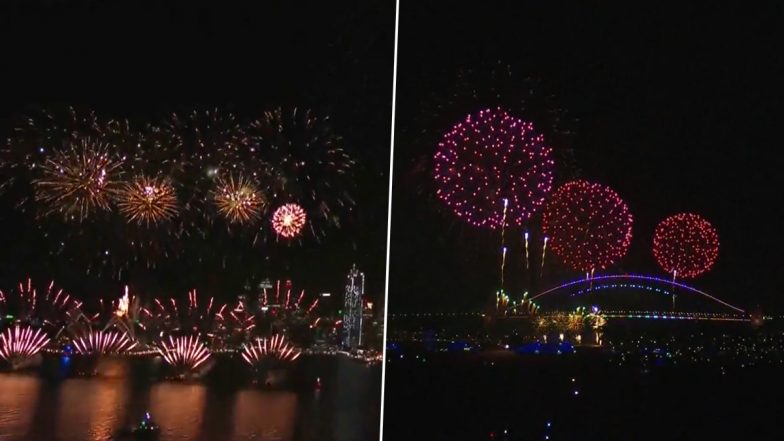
148, 200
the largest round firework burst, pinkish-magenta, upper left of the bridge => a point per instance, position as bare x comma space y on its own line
493, 169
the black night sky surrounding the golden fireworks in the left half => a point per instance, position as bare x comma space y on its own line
144, 59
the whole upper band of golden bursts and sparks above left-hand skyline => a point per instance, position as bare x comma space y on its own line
170, 180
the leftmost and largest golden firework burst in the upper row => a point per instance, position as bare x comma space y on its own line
79, 180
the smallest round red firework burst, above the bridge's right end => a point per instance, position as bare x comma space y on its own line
685, 245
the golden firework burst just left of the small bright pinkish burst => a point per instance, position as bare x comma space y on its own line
239, 200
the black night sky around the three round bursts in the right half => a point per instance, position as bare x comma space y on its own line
678, 108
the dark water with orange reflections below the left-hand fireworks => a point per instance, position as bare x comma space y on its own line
221, 407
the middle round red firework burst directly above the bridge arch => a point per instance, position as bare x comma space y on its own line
589, 225
